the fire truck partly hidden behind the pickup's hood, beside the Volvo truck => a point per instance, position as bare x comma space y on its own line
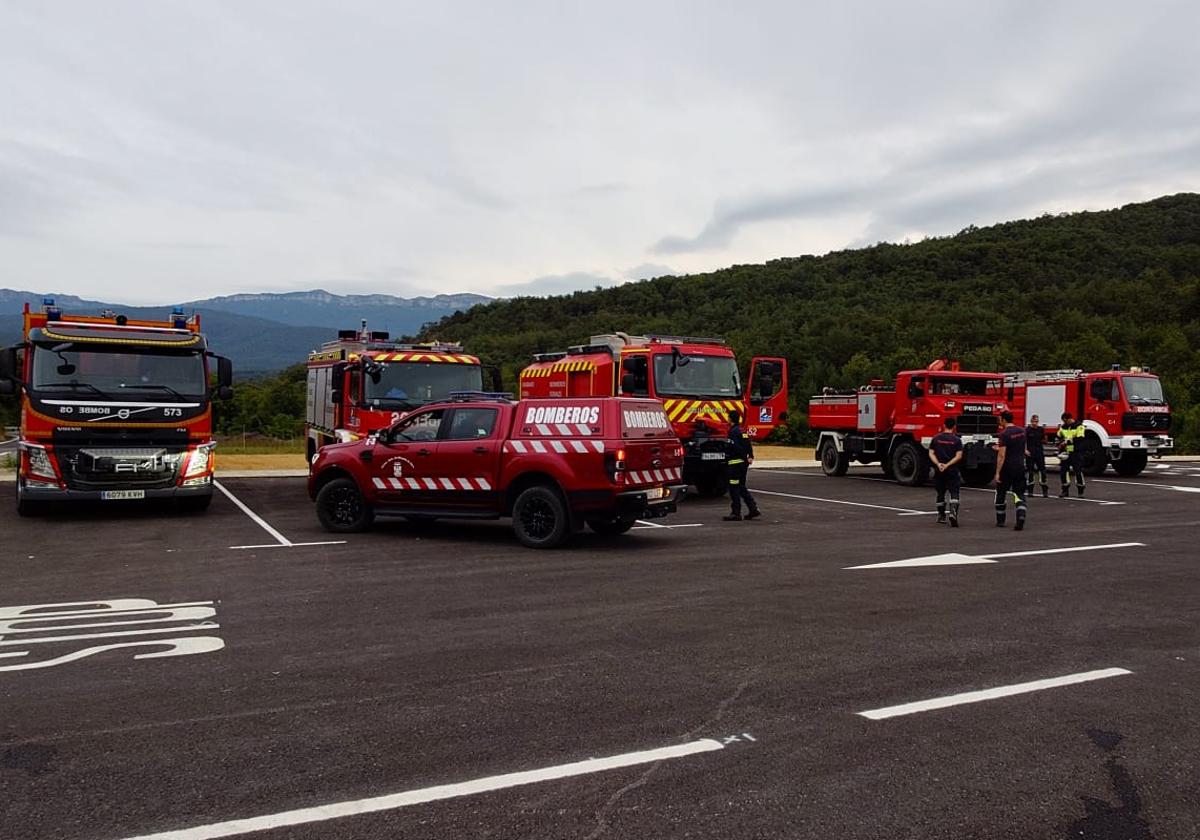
363, 382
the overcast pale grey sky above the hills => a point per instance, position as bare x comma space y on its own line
160, 152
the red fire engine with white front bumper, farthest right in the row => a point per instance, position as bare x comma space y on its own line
1125, 413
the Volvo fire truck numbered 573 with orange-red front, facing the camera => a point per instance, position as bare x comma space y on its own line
113, 409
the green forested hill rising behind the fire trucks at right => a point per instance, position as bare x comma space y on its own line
1081, 290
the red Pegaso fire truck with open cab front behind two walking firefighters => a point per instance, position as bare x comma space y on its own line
893, 424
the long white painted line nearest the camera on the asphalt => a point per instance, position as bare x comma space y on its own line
394, 801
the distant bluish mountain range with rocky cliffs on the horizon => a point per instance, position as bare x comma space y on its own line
263, 333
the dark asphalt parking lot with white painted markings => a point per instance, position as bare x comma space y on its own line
244, 674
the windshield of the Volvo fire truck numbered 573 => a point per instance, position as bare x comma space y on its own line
115, 374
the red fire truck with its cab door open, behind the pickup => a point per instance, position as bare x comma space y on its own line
697, 380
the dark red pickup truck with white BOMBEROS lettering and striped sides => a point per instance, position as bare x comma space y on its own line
551, 465
